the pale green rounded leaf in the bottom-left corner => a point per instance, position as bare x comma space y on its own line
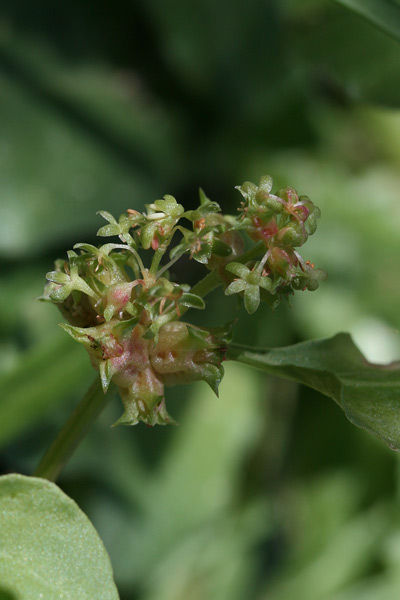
49, 548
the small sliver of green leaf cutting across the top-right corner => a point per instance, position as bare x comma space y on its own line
385, 14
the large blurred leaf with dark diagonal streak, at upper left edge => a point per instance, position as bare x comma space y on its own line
75, 141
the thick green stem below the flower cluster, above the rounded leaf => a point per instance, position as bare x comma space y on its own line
72, 432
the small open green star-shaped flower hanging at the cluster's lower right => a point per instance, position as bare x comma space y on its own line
249, 282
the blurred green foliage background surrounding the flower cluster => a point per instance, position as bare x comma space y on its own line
267, 493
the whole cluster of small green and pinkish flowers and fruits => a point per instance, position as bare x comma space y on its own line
128, 315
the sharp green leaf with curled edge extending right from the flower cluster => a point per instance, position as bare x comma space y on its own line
369, 394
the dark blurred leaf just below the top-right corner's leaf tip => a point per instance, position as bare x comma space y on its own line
348, 60
